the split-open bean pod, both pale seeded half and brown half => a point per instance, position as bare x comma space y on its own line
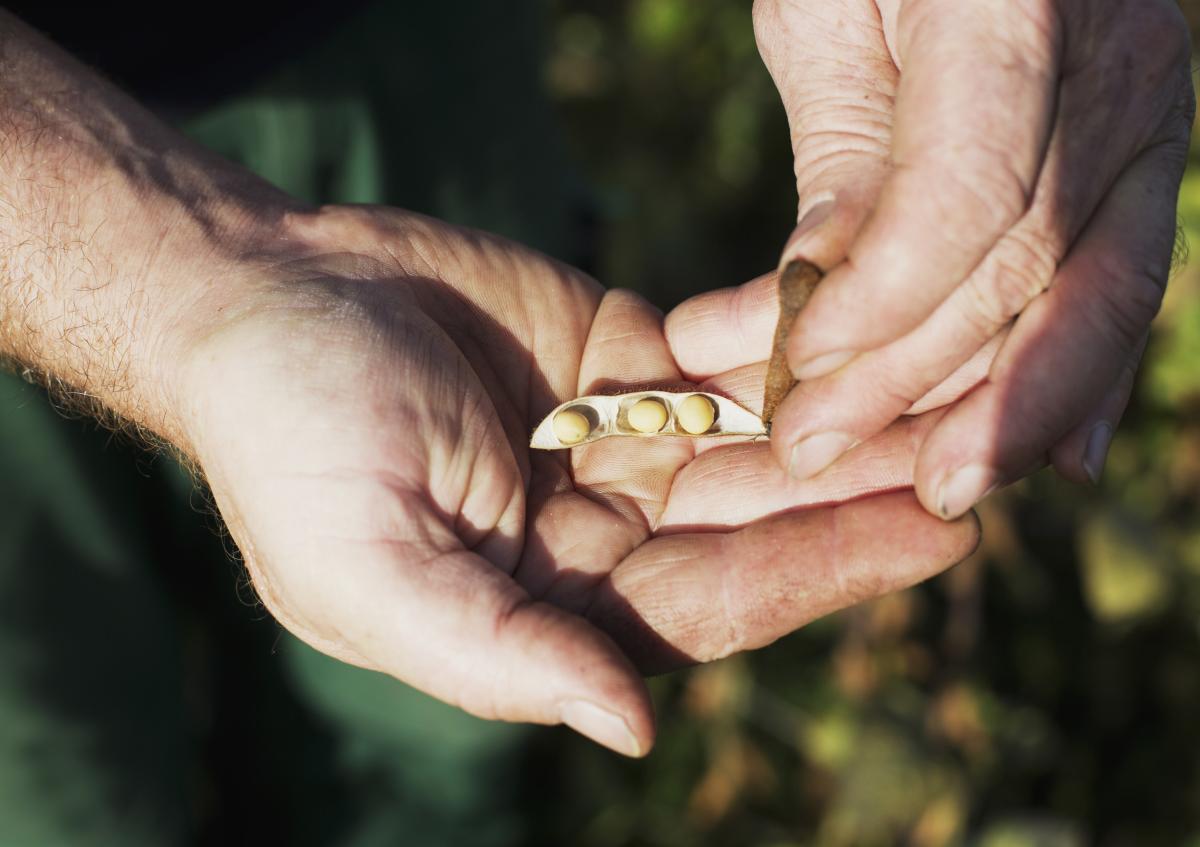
693, 415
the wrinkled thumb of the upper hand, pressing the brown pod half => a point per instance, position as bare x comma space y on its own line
838, 82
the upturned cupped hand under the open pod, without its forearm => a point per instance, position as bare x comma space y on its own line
363, 413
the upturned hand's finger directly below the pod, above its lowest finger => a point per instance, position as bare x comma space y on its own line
736, 485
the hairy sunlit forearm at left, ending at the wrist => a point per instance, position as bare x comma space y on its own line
117, 235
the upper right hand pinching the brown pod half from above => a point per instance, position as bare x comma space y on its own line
964, 165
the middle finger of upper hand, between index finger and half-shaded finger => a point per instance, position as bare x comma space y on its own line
965, 331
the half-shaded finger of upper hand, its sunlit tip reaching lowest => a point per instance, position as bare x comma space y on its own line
1069, 347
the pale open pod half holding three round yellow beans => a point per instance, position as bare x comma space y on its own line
644, 415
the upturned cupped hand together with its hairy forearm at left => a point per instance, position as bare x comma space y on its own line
358, 386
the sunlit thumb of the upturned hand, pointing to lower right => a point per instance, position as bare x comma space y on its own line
447, 622
